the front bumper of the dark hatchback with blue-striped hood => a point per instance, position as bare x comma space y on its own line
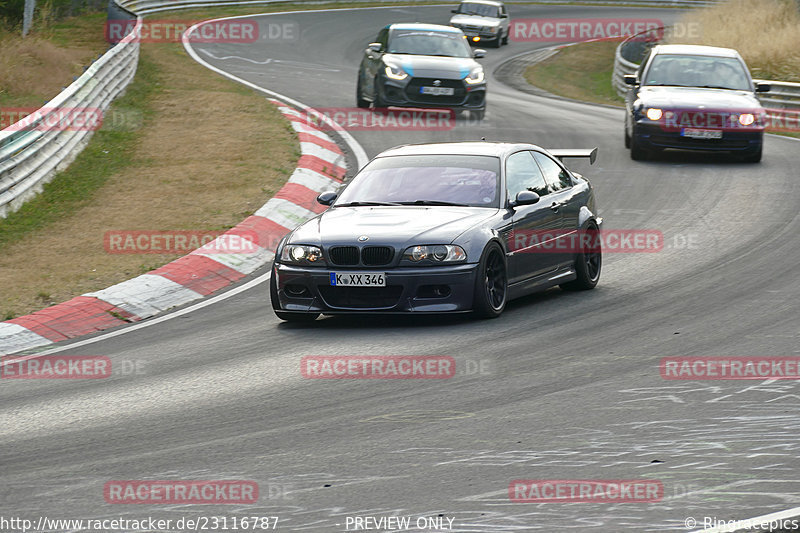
406, 93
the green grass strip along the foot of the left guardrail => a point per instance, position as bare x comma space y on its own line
108, 152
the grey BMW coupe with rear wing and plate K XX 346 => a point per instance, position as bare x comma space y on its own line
443, 228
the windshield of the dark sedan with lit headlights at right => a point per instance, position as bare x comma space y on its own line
698, 71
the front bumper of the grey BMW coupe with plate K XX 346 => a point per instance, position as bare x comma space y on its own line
408, 290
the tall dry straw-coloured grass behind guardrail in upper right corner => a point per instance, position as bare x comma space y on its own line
765, 32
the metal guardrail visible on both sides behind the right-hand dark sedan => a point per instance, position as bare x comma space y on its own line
784, 95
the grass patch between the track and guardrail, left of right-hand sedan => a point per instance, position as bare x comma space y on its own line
582, 72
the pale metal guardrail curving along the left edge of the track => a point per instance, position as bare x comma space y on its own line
34, 150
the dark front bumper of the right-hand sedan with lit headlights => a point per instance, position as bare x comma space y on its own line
648, 135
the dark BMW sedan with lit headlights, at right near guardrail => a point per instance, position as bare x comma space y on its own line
694, 98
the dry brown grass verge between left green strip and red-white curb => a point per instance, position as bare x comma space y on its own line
210, 153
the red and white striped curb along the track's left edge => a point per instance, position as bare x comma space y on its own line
321, 167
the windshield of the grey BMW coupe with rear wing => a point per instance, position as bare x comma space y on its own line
427, 179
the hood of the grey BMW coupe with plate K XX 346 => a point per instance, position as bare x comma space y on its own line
397, 226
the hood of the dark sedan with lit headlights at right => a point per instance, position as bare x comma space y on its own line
692, 98
